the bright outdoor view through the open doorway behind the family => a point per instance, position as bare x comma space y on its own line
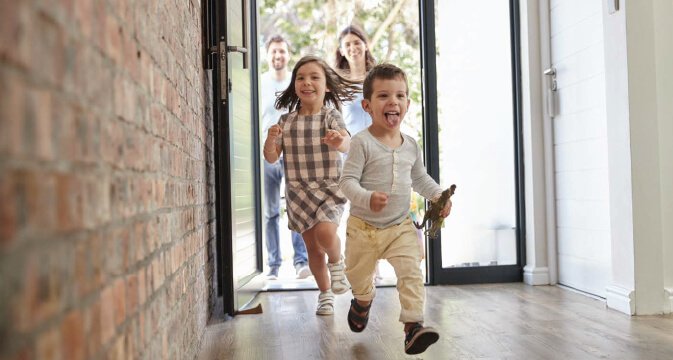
313, 28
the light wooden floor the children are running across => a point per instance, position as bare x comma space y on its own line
501, 321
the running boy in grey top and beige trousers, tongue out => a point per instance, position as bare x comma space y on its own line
382, 166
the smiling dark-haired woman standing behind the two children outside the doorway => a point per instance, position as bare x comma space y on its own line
353, 59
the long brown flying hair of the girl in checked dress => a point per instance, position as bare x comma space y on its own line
340, 88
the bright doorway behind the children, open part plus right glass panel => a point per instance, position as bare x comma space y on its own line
464, 113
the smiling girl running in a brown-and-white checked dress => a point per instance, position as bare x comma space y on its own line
311, 137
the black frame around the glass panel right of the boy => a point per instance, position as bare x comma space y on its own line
482, 274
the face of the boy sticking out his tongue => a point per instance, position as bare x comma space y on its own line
388, 103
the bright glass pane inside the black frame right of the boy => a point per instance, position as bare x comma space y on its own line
474, 90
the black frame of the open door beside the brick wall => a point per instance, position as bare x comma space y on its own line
216, 55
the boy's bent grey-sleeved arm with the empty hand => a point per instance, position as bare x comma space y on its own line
352, 173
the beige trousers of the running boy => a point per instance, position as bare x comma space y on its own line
366, 244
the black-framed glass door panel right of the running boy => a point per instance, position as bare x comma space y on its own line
476, 145
